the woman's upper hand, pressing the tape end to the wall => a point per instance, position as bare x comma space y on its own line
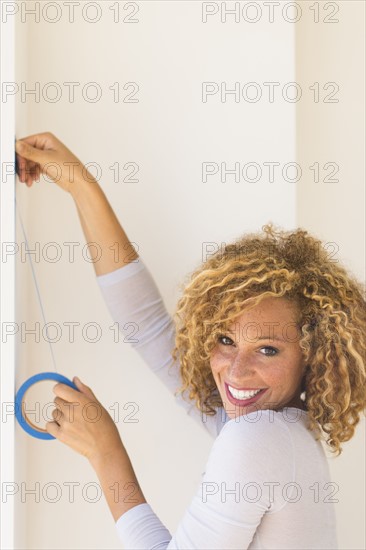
45, 154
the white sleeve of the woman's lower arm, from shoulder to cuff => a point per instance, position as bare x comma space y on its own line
248, 459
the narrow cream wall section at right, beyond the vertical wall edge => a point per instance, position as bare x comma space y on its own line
335, 132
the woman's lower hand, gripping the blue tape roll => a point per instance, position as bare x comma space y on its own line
82, 423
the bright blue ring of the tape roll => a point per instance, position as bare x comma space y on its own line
40, 434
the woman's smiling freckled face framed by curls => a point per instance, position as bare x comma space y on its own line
260, 352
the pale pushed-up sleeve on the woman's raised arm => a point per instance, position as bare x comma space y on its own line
135, 303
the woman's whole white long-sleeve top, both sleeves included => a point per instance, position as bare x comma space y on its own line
266, 483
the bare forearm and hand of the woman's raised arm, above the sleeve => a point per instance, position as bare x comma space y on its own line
45, 154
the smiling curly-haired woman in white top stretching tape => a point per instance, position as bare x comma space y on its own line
269, 342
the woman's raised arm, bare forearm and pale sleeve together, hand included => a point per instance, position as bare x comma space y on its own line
127, 286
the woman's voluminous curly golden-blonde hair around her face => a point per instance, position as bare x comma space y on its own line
297, 266
